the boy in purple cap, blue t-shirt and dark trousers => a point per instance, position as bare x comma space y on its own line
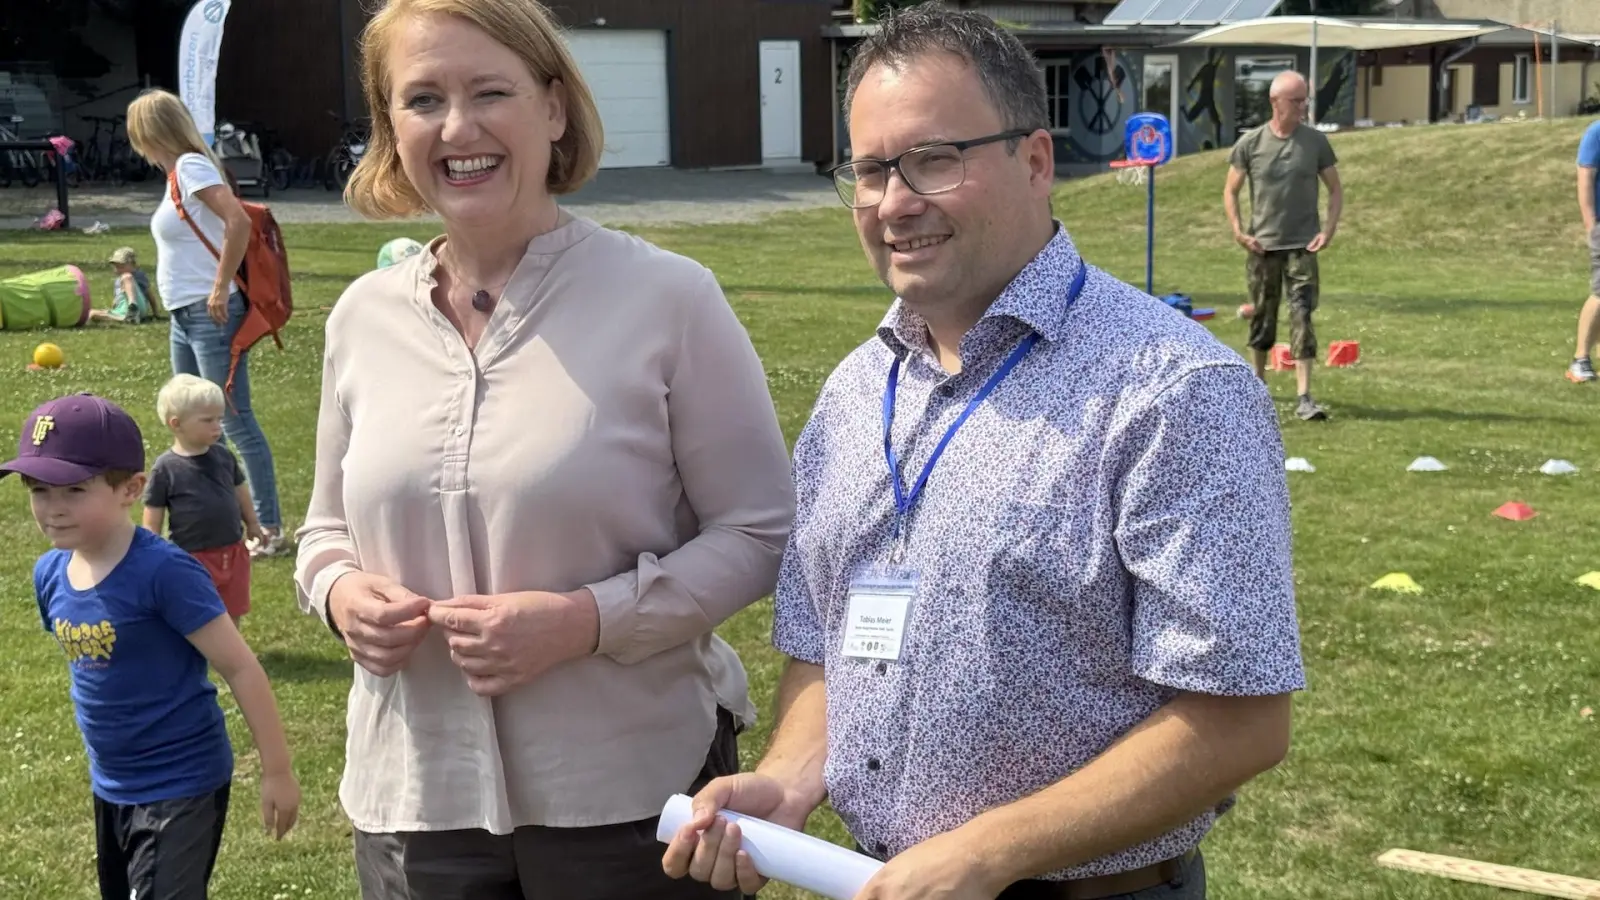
140, 622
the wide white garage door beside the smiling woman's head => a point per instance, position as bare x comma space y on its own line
628, 76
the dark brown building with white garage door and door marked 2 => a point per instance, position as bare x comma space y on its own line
687, 84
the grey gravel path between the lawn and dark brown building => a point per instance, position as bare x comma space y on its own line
614, 198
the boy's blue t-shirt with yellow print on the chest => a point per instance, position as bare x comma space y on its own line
146, 709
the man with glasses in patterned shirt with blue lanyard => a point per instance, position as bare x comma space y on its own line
1038, 601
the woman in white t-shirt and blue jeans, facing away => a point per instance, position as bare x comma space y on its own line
198, 287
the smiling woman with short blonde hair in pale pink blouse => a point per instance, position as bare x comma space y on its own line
548, 467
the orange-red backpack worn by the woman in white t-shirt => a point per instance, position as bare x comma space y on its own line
263, 278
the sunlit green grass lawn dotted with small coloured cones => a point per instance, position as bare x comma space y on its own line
1446, 723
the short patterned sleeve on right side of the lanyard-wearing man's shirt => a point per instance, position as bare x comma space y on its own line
1204, 529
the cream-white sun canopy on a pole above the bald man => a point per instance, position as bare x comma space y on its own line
1345, 34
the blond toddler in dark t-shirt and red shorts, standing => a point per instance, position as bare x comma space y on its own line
201, 492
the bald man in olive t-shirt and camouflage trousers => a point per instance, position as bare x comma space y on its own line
1284, 163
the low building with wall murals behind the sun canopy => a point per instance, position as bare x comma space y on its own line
1097, 76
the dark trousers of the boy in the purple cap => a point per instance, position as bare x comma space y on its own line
161, 851
